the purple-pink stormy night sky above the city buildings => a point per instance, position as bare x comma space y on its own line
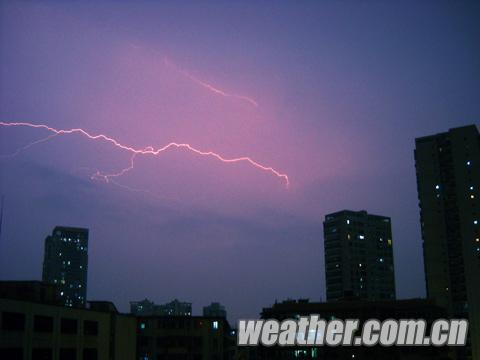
343, 88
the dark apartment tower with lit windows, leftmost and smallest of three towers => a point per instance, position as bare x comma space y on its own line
65, 264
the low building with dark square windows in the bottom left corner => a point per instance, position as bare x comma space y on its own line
37, 331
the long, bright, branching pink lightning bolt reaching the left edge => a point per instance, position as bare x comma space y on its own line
149, 150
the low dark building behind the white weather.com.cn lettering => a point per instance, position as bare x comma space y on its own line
356, 309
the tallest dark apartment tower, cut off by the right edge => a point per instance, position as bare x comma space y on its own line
448, 181
